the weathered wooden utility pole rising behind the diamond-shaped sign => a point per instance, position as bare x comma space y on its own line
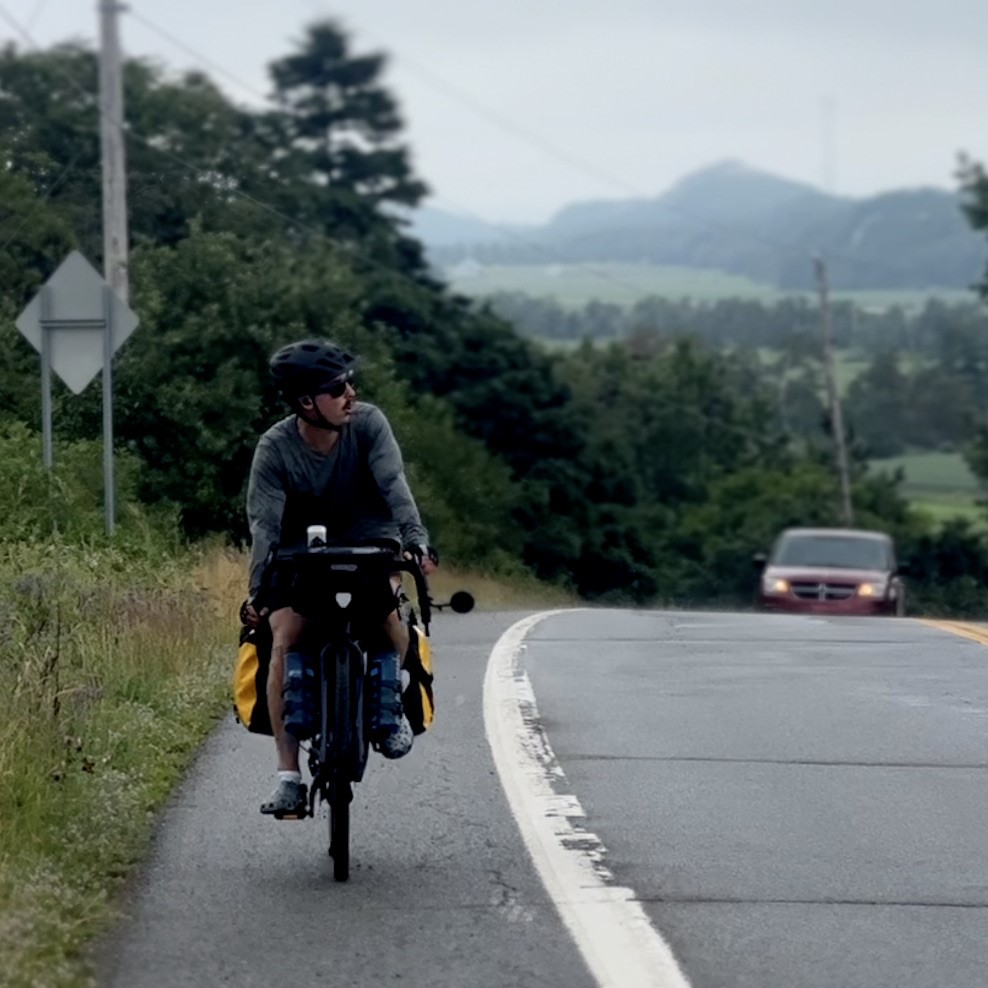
115, 259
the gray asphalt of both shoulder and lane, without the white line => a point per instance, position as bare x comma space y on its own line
797, 802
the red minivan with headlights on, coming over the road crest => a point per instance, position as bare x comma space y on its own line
832, 571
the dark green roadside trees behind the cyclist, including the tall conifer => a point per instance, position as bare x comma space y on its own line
646, 470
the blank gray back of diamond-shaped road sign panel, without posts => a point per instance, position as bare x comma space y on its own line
75, 321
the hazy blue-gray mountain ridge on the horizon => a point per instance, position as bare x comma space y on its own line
736, 219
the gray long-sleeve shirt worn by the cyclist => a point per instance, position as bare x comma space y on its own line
358, 490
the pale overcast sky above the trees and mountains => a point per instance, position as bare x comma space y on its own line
515, 108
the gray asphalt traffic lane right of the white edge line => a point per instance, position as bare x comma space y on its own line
798, 802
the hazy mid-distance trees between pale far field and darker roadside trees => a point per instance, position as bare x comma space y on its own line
924, 384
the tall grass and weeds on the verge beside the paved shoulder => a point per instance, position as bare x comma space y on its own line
114, 666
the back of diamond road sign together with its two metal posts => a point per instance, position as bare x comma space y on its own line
77, 324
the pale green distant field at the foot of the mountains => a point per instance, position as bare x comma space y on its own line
574, 285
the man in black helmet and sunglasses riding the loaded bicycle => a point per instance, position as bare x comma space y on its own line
334, 462
